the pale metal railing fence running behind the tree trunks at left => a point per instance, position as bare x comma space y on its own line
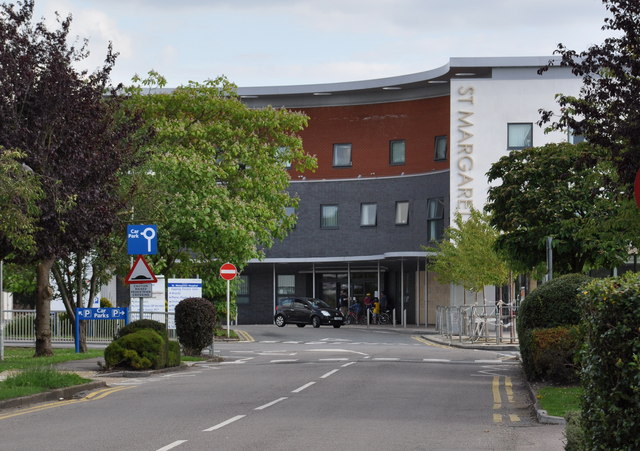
19, 326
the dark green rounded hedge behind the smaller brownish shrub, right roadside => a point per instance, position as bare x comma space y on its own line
550, 305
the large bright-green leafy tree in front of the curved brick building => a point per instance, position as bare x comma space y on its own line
216, 179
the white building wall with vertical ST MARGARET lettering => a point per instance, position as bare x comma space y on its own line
480, 112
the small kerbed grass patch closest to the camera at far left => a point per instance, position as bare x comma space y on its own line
37, 380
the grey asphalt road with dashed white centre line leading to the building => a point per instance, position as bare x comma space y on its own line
300, 388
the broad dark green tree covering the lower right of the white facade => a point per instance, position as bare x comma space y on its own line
564, 191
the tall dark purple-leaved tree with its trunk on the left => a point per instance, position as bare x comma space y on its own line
74, 140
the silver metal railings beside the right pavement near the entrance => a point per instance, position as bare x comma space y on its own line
488, 323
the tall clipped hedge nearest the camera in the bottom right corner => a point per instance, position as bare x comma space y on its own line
610, 362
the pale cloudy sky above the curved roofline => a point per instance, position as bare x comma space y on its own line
287, 42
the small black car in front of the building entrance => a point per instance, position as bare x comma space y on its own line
303, 311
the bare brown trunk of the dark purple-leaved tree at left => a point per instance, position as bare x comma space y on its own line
43, 308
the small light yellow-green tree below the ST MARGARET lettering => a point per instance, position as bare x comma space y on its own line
466, 256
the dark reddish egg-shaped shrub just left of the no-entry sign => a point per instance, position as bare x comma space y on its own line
195, 320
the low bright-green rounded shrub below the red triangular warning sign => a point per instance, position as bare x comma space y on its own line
139, 350
